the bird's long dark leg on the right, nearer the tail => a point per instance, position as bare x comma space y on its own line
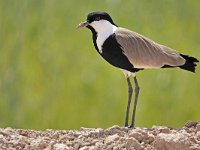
137, 90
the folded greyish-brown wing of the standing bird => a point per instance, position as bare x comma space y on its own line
145, 53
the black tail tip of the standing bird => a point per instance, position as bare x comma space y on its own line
190, 63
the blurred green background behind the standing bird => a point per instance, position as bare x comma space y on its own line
52, 77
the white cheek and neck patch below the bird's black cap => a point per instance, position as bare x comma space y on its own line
104, 29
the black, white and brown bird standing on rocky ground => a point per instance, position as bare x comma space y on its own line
132, 52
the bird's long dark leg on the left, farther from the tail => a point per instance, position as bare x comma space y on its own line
130, 92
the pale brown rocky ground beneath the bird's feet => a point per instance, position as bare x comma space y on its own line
114, 138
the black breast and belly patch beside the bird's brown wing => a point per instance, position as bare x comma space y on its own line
113, 53
